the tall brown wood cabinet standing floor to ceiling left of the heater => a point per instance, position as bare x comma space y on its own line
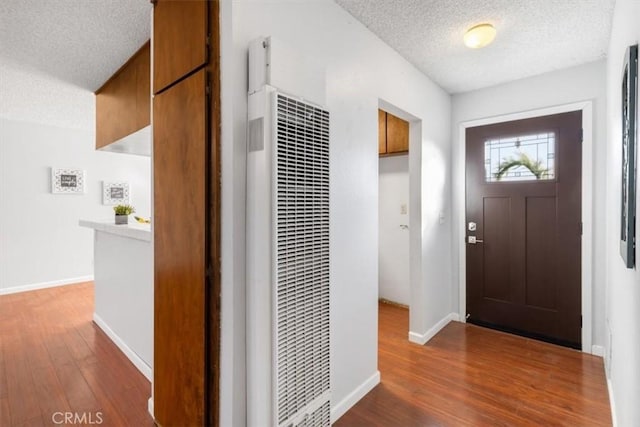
186, 121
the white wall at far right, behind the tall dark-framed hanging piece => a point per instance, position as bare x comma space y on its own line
623, 285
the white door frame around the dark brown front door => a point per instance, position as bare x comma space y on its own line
587, 205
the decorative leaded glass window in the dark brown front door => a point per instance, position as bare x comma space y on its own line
520, 158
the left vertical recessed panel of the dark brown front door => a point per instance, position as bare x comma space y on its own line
496, 267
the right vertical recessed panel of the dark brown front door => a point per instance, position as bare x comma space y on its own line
541, 286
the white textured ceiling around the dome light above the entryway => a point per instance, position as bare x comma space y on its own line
533, 36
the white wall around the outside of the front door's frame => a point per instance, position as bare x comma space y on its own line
586, 82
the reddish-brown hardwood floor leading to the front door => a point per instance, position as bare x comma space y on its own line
472, 376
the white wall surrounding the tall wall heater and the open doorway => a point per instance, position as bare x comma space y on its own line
360, 71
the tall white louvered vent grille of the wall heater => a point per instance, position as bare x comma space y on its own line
302, 264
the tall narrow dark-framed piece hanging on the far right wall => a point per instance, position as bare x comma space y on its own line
629, 156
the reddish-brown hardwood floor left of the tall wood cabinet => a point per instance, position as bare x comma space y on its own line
55, 360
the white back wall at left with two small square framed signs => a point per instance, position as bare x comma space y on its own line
41, 239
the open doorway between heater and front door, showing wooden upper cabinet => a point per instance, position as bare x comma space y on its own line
399, 209
